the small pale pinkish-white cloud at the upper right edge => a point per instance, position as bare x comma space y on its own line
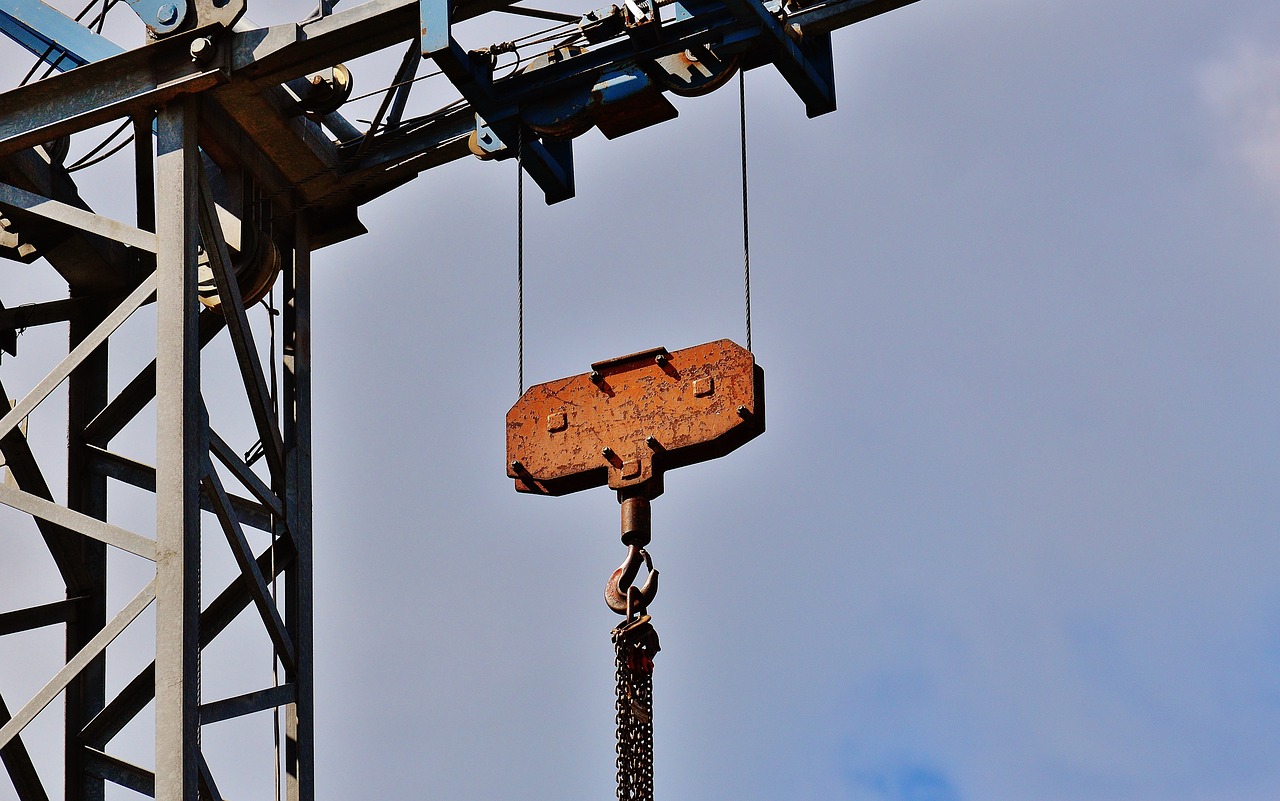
1242, 91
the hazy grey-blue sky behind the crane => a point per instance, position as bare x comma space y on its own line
1012, 530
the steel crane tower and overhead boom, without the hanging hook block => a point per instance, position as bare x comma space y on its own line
240, 173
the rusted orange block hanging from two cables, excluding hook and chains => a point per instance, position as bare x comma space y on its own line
634, 418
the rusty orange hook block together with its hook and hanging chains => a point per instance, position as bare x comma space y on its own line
624, 425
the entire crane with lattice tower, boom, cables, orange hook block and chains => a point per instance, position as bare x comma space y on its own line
253, 150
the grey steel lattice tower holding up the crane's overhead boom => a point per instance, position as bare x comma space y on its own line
193, 470
